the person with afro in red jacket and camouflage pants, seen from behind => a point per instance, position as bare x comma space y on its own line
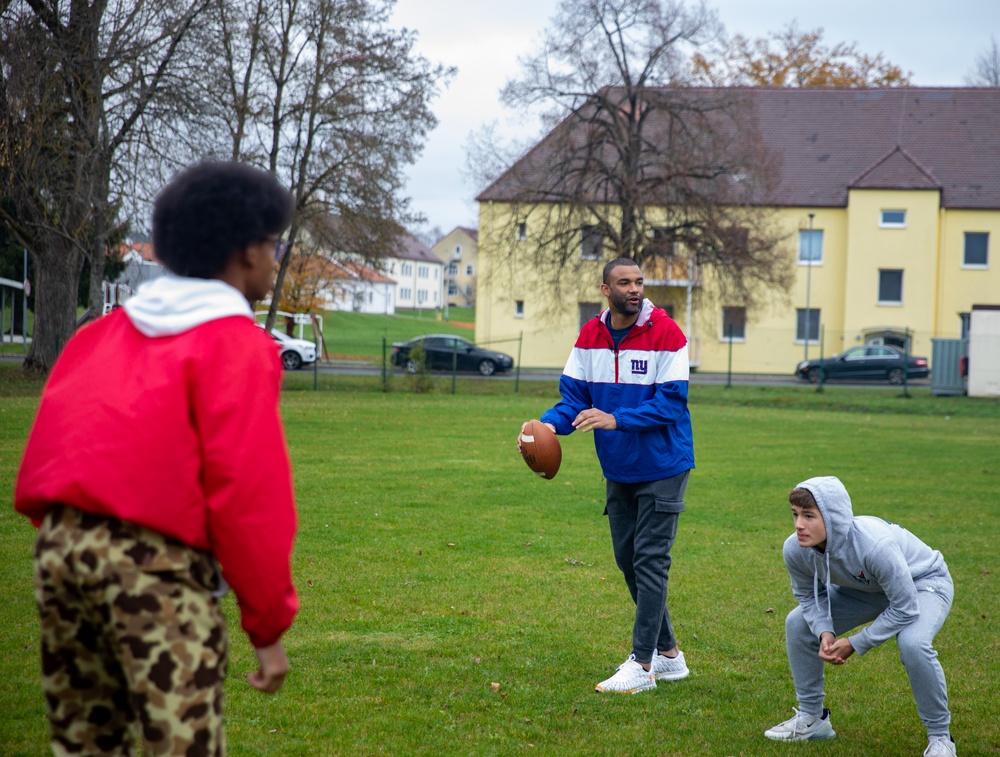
158, 475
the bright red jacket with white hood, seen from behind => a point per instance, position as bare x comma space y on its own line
166, 414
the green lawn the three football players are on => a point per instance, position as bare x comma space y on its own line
455, 604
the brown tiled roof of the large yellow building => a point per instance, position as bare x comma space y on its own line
825, 141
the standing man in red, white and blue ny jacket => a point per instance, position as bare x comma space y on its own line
627, 381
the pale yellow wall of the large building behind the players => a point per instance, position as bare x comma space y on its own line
843, 286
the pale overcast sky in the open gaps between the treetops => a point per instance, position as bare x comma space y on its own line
935, 42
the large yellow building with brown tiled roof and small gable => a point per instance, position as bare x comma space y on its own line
888, 201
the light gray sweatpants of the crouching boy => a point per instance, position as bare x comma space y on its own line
851, 608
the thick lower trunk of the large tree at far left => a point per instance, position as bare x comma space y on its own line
57, 278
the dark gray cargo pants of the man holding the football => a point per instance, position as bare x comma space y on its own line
643, 520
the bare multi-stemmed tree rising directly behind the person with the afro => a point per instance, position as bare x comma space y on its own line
333, 101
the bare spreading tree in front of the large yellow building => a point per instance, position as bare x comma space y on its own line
639, 164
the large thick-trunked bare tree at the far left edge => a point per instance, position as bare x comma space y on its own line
76, 78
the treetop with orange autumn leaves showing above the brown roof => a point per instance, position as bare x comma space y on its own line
792, 58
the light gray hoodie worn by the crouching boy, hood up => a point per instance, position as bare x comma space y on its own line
863, 553
